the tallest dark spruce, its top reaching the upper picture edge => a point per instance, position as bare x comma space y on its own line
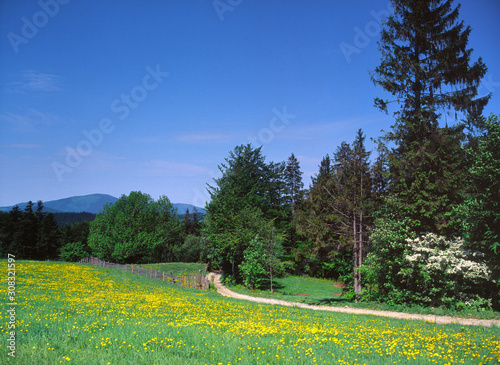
427, 68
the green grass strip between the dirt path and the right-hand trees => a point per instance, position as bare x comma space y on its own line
327, 292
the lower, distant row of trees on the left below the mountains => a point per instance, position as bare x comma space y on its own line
142, 230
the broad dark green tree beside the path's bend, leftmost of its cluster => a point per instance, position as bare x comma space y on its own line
248, 196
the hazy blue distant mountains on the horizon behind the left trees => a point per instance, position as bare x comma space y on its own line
92, 203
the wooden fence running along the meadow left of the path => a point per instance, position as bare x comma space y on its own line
188, 281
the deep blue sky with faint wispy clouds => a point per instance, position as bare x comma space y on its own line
115, 96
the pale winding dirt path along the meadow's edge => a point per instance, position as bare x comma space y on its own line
216, 279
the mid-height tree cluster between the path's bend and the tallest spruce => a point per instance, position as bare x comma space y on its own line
261, 222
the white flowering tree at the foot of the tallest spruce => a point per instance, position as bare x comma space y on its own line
438, 271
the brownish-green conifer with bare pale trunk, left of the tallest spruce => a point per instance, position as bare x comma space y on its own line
337, 211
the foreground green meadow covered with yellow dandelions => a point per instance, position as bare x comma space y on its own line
74, 313
